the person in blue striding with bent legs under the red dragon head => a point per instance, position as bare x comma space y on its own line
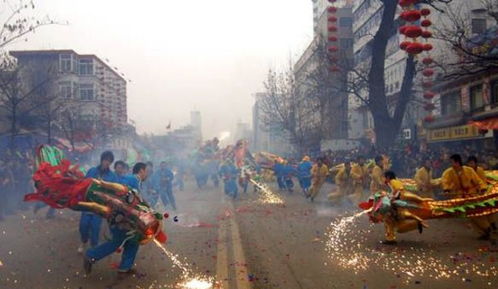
121, 234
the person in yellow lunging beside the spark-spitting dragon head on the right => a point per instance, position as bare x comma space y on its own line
400, 219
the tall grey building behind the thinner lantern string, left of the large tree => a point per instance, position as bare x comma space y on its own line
317, 82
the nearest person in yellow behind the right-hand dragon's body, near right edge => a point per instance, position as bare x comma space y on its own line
462, 181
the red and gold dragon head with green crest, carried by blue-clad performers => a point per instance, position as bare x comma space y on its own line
62, 185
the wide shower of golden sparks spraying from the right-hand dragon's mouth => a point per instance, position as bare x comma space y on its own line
348, 247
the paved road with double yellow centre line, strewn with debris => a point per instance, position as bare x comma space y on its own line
251, 243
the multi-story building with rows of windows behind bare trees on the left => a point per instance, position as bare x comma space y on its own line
94, 92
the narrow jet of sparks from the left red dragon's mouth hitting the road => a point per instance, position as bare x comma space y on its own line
192, 281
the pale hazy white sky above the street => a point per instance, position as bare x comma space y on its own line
182, 55
